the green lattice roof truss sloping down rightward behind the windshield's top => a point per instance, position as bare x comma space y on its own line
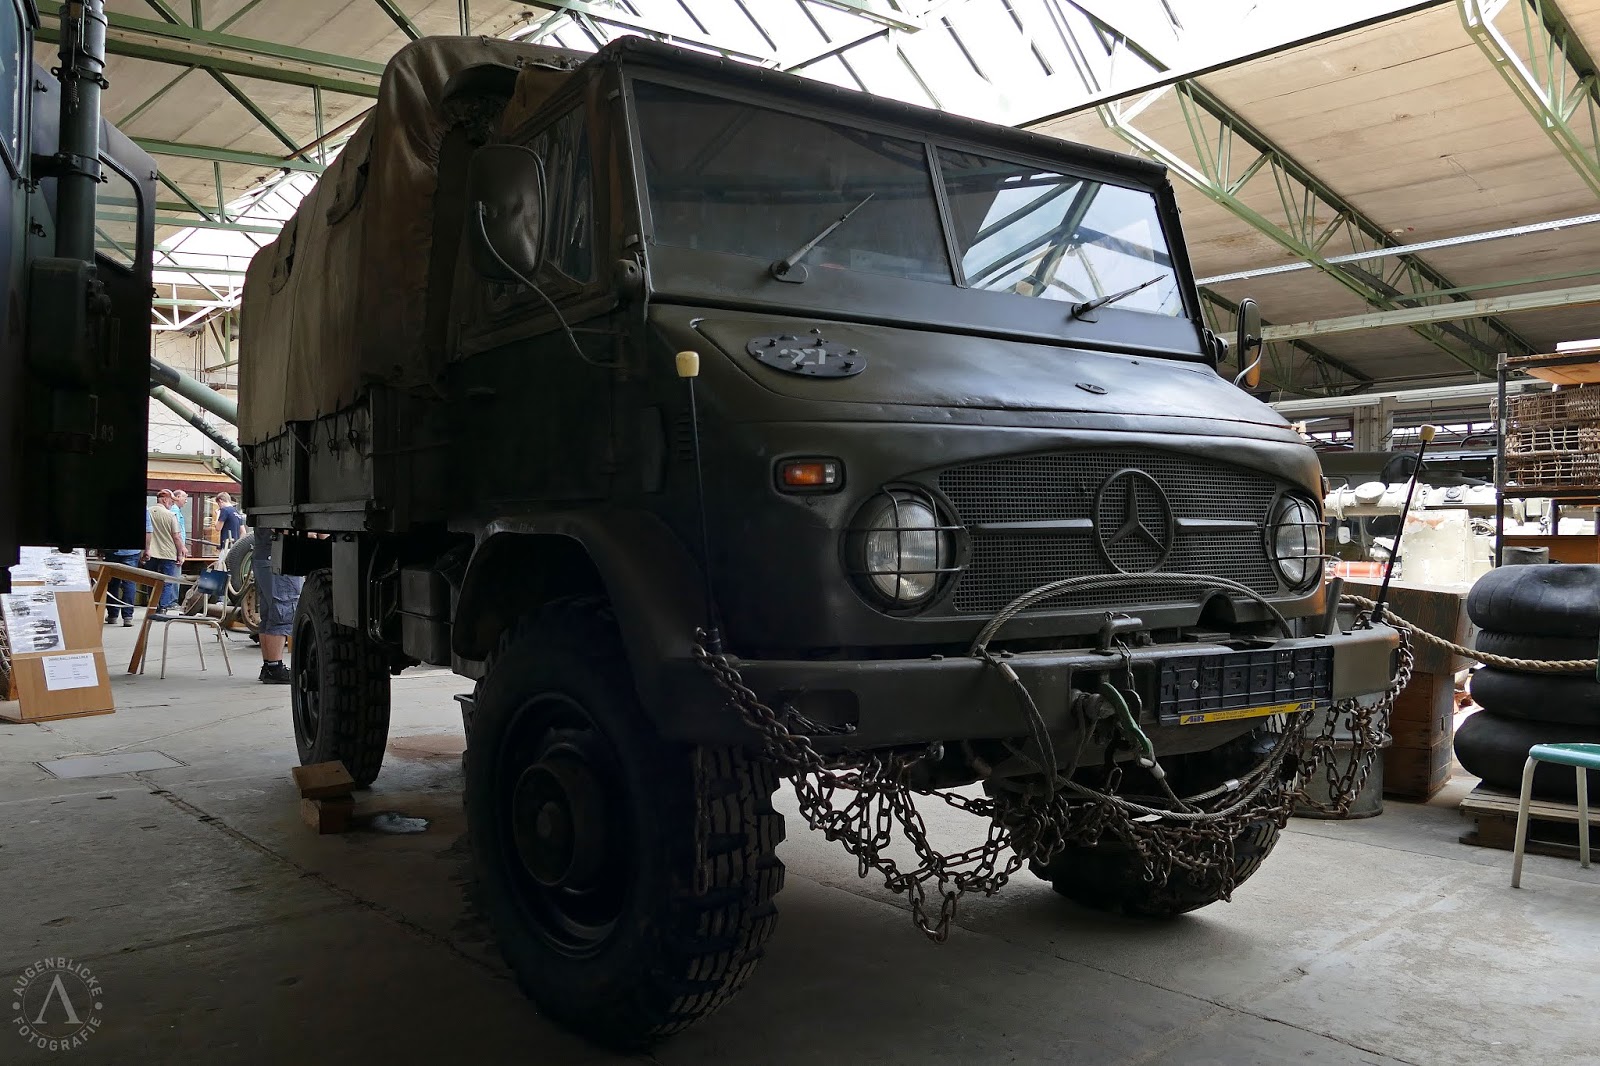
1310, 220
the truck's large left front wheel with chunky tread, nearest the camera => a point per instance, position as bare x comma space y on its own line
586, 833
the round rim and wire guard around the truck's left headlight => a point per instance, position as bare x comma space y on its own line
876, 516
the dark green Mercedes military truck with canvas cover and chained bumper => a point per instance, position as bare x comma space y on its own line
705, 415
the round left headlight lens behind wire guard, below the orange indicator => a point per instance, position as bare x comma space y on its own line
902, 550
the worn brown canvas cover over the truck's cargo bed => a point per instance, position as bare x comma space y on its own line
342, 300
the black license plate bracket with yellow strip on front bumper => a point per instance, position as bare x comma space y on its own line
1230, 686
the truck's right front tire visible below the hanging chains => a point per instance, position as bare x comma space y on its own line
1111, 878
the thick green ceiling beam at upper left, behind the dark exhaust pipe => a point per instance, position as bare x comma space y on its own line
214, 50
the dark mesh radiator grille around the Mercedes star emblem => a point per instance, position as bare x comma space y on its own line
1062, 487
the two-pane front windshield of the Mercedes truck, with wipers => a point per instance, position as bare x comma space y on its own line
730, 177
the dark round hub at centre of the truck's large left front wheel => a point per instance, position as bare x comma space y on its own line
559, 822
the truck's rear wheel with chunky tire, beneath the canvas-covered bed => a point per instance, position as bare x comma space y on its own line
340, 692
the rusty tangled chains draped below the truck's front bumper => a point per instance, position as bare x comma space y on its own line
860, 799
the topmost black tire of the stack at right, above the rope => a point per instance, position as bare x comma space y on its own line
1542, 601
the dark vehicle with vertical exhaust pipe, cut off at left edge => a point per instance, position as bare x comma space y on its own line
78, 225
